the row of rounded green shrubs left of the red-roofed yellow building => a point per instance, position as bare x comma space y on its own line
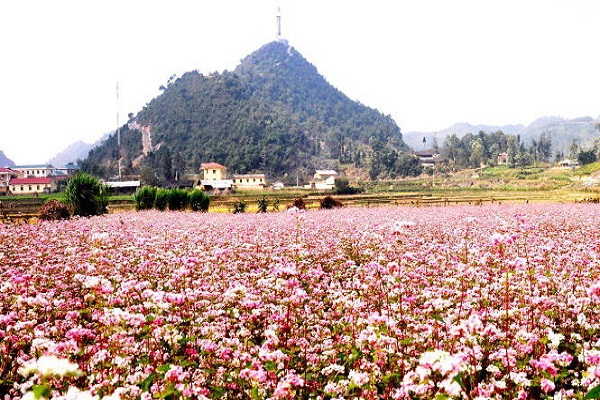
174, 199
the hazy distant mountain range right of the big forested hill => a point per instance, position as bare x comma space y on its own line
562, 132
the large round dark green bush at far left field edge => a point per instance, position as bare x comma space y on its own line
86, 195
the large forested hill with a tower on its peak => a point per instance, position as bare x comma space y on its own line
274, 113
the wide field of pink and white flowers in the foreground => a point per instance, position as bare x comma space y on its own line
465, 302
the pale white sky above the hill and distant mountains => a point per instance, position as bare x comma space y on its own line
427, 63
